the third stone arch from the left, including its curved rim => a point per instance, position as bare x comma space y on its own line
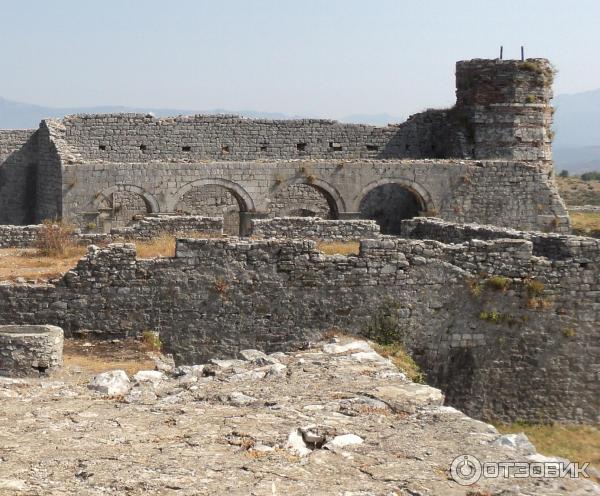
327, 195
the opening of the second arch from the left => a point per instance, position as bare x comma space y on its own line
213, 200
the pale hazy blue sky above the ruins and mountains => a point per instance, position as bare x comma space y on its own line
324, 58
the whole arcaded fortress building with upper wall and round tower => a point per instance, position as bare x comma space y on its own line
459, 163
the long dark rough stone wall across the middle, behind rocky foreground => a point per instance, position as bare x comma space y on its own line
505, 333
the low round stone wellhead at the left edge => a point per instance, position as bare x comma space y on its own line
30, 350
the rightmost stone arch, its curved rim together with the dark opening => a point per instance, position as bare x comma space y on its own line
389, 201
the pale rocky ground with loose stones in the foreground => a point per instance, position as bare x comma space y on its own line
337, 419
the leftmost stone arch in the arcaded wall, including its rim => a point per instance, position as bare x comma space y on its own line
118, 205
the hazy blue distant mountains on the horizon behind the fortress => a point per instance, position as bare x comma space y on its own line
576, 122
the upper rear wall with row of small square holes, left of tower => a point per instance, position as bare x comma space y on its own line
144, 138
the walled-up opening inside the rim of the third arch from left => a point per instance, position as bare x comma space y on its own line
303, 200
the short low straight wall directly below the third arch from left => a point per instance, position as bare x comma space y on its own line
314, 228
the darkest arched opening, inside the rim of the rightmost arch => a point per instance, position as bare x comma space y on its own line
389, 204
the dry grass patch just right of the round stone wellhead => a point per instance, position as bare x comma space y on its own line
95, 357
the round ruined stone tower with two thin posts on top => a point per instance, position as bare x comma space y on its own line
504, 108
